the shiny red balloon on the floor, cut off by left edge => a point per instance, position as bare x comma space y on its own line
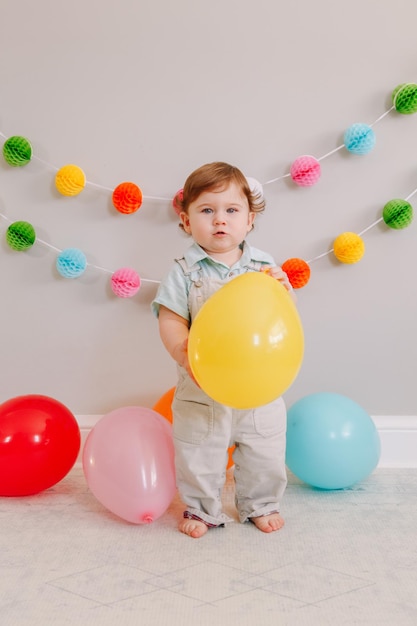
39, 443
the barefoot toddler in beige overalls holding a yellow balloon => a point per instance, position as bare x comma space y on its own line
218, 210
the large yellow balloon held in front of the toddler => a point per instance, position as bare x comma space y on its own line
246, 343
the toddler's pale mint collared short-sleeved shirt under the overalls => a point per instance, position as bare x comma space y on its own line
175, 286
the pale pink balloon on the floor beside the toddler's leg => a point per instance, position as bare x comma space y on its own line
128, 462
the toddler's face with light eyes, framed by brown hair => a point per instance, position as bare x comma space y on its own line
219, 220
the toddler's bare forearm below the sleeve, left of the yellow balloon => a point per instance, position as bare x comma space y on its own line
174, 330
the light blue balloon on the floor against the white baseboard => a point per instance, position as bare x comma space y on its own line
332, 442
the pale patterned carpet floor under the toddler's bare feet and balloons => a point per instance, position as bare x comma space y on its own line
344, 557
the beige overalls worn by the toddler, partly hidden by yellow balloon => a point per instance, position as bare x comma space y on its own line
204, 430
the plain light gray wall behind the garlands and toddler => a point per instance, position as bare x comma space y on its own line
146, 91
